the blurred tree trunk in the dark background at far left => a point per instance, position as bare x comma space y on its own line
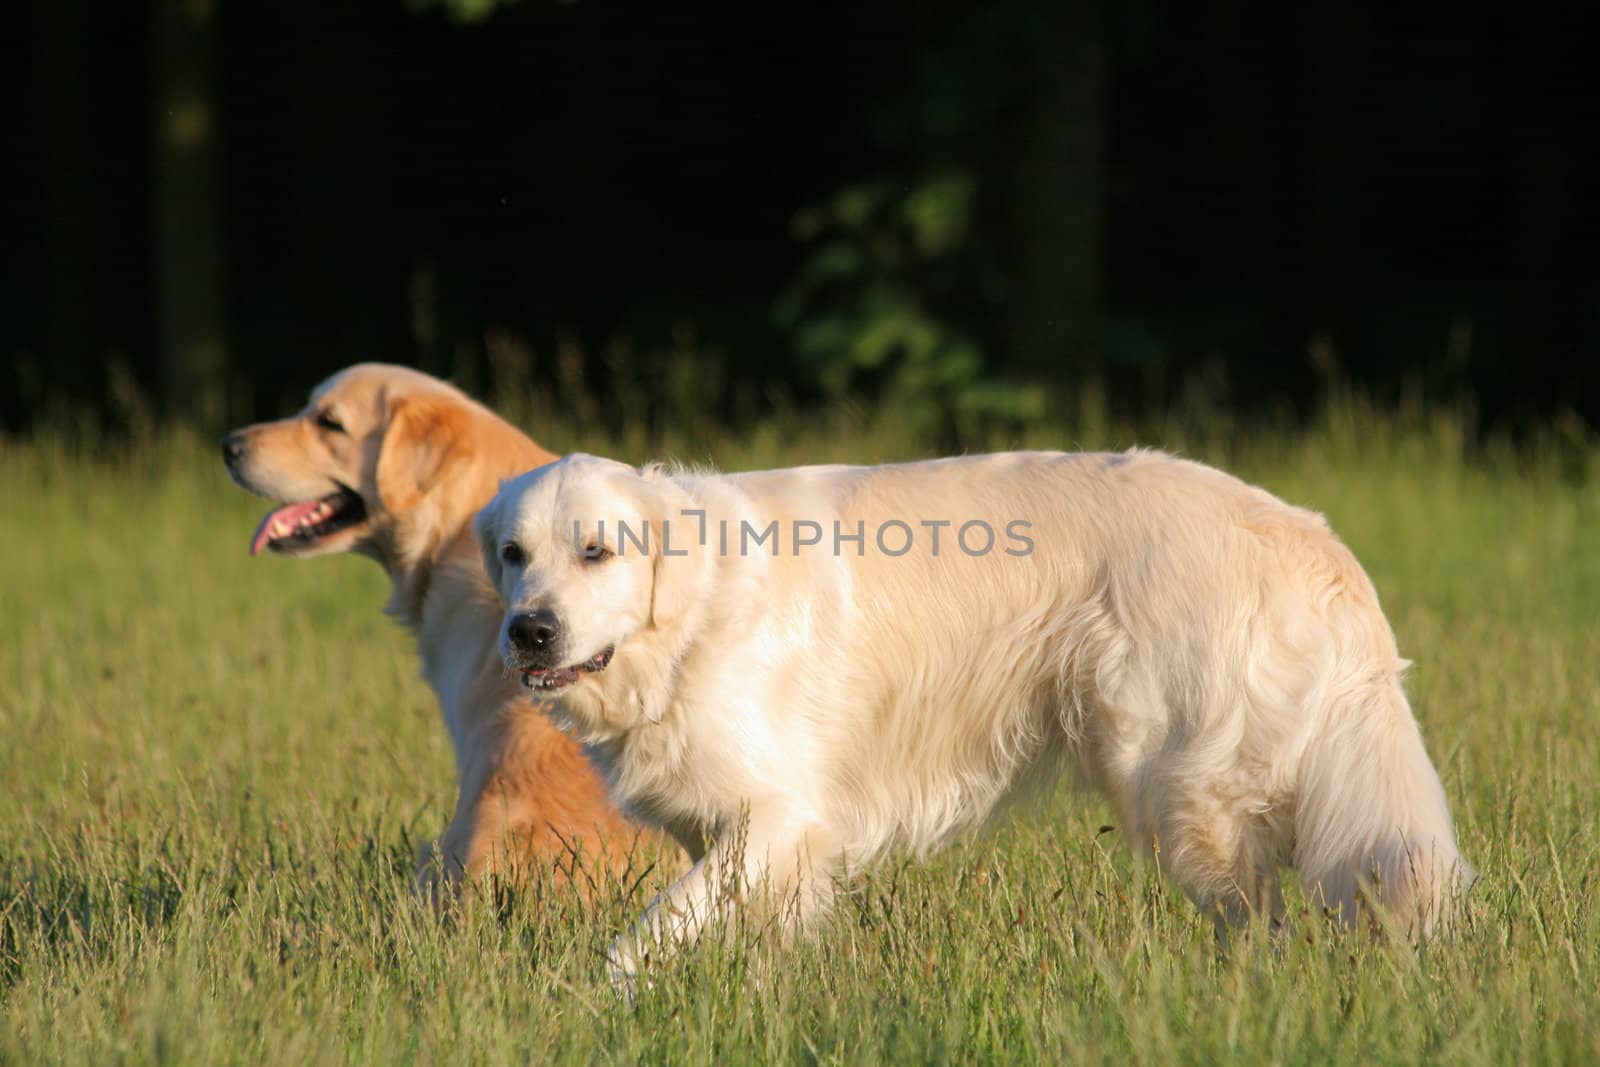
186, 212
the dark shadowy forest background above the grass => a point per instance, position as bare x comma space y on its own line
967, 212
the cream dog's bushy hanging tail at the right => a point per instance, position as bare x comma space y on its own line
1374, 820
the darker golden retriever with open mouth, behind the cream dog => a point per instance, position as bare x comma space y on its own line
391, 463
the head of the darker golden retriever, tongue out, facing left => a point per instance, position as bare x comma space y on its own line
382, 460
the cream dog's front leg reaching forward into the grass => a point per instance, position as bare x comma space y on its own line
766, 865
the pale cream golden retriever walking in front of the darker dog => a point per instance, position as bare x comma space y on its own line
828, 663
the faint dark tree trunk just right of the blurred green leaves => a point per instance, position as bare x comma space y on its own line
1060, 193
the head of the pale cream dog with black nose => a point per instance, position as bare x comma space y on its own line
585, 554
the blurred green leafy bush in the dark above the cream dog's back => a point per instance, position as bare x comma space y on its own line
863, 310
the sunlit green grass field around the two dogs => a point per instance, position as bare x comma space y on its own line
217, 772
